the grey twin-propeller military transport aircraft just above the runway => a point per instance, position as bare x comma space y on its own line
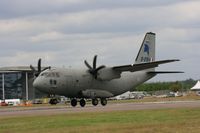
99, 82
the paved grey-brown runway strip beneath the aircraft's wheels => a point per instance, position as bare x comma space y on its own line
60, 109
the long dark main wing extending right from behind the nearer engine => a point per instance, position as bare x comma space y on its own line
141, 66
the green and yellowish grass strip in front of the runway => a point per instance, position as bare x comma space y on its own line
143, 121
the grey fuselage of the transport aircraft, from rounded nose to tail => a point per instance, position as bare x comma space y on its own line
73, 82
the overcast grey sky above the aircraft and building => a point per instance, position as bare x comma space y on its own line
66, 32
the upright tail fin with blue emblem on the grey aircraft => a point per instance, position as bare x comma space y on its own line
147, 49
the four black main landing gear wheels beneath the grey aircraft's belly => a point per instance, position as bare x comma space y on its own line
82, 102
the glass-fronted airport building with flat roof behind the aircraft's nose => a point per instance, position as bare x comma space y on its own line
17, 83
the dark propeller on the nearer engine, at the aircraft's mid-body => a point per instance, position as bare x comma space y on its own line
94, 70
